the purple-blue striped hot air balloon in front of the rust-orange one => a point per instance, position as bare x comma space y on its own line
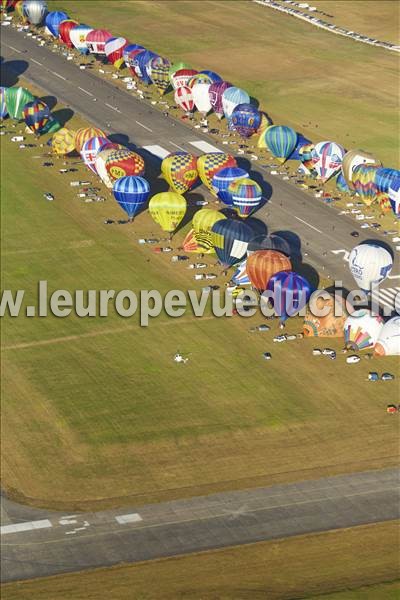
291, 293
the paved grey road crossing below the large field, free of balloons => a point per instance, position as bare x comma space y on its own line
36, 543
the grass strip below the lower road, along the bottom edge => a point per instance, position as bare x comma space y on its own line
301, 567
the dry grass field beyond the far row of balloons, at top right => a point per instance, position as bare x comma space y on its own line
324, 85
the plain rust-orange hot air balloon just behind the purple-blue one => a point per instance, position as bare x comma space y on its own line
261, 265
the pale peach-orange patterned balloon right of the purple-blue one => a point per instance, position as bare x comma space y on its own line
329, 325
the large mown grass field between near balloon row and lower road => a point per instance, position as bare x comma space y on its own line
97, 405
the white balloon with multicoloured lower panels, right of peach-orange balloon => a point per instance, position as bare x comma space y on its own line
362, 330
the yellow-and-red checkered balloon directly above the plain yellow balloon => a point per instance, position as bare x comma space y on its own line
180, 171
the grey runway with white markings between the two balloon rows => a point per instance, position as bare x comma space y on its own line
321, 235
